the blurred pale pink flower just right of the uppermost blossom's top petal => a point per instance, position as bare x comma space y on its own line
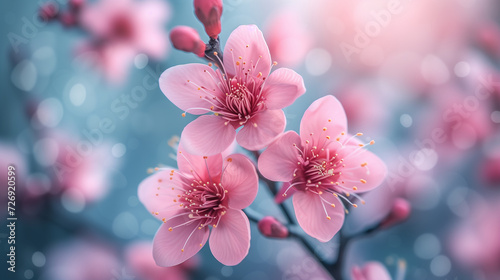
287, 37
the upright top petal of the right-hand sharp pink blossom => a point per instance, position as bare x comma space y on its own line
326, 112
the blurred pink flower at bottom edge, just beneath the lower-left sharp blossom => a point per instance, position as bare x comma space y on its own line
140, 260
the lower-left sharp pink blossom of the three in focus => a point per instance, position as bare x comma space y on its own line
203, 192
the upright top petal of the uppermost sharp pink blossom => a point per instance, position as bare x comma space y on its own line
247, 42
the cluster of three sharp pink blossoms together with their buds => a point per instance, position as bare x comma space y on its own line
239, 96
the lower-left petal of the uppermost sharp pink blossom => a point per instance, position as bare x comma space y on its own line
207, 135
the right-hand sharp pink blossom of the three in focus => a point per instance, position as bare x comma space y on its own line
321, 165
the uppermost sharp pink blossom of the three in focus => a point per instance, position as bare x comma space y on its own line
243, 95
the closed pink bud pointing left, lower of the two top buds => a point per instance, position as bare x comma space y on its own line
186, 39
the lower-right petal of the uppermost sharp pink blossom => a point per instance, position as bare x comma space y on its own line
262, 129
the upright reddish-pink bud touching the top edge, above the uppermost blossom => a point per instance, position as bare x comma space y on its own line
209, 13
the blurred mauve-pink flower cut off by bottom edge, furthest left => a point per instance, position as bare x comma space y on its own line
82, 260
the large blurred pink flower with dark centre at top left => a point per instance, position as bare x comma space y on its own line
121, 29
